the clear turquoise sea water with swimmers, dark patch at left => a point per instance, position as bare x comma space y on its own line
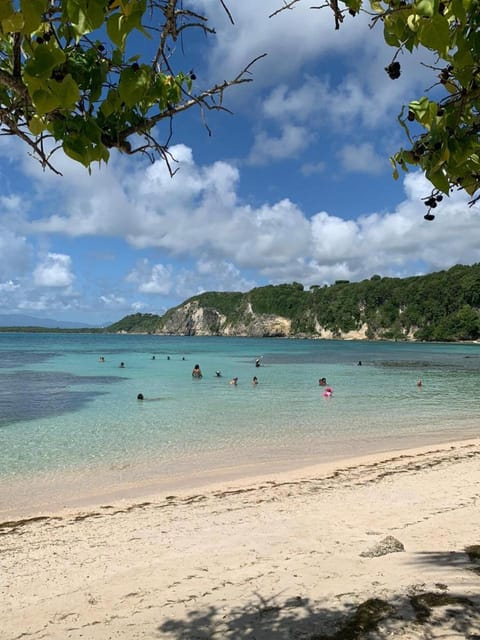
61, 409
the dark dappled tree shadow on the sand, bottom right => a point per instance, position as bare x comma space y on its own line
417, 614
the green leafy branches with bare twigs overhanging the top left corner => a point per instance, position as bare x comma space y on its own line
71, 78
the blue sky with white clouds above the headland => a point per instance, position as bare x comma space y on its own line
294, 185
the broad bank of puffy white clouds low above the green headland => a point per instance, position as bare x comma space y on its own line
198, 215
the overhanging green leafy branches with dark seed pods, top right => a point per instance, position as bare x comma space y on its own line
442, 128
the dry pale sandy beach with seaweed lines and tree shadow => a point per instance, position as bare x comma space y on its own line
387, 546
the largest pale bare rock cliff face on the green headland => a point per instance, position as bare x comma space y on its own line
191, 319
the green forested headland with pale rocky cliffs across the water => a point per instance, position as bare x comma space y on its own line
441, 306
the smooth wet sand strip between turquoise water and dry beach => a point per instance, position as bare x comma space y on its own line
59, 490
